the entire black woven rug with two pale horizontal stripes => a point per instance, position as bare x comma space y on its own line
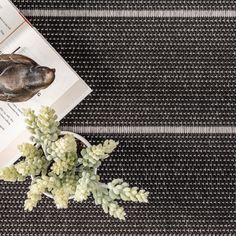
163, 76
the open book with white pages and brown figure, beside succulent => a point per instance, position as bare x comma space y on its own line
63, 93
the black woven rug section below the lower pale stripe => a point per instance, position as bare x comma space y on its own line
191, 180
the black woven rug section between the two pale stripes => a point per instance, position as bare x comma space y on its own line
172, 71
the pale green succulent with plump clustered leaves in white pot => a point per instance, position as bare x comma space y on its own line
56, 168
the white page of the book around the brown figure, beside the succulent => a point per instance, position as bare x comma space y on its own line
66, 91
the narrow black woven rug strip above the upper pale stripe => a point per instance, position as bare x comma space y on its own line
127, 4
